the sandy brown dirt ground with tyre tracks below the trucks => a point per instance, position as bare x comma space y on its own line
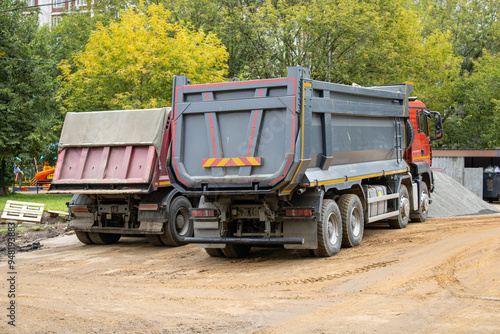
442, 276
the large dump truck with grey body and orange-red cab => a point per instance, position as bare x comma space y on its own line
298, 163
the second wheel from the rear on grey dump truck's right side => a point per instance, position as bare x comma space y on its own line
353, 225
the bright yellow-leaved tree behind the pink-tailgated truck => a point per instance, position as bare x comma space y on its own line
130, 63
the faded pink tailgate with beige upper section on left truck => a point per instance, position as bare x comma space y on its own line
110, 151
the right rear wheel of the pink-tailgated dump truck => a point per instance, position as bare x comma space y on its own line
179, 225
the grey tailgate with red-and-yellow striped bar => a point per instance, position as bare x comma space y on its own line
234, 135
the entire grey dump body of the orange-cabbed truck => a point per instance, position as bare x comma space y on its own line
274, 135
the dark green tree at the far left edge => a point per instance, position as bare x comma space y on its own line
27, 89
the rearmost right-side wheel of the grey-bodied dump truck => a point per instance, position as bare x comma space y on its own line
329, 231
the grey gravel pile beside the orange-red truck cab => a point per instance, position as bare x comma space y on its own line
450, 199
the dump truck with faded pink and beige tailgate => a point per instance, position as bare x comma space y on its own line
114, 162
